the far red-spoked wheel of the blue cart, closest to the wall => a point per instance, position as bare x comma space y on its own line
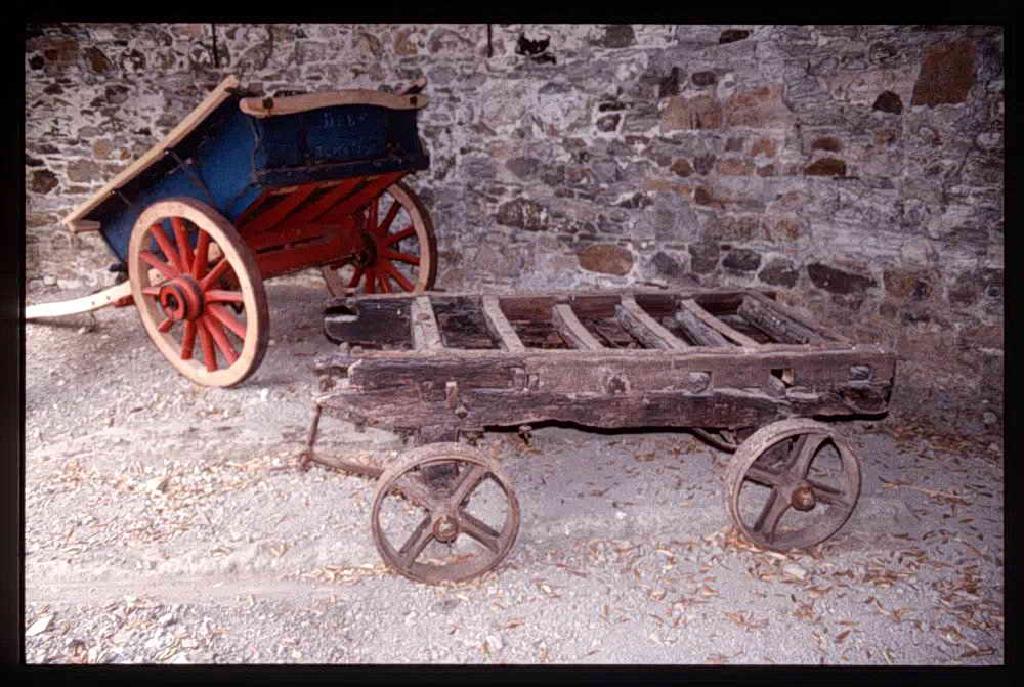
400, 248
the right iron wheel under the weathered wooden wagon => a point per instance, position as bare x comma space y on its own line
792, 485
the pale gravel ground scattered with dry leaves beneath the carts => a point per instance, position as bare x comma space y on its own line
167, 524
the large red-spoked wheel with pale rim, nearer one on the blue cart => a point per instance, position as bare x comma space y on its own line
199, 292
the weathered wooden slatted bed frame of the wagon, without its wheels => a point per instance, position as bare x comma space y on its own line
699, 359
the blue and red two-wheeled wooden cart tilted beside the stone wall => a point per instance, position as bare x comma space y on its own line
248, 188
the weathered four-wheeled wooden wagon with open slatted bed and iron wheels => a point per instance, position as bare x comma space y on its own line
734, 366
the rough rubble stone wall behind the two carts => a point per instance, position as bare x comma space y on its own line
857, 169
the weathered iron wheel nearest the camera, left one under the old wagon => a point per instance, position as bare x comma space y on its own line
441, 485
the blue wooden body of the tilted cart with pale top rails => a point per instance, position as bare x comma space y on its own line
229, 159
